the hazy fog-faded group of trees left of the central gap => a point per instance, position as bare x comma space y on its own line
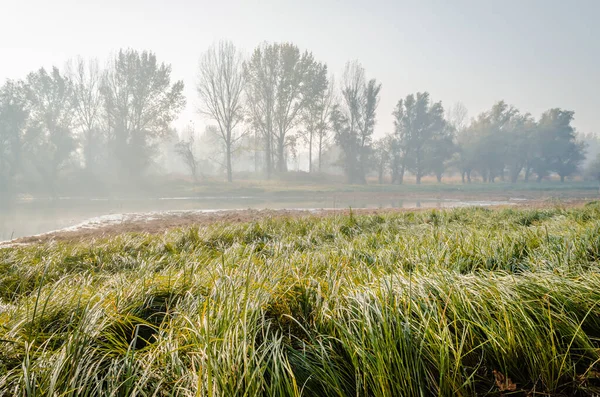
98, 122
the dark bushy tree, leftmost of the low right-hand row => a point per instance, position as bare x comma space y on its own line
422, 132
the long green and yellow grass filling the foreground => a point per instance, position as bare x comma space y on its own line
452, 303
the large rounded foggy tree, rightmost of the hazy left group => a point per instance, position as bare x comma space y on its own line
140, 103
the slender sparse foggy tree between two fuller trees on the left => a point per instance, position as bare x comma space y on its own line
86, 78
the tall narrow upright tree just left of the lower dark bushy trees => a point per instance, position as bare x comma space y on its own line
353, 120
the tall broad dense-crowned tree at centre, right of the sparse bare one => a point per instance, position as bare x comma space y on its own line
278, 78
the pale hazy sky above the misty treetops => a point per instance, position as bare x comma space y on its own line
534, 54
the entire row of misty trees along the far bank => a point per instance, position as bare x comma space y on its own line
109, 121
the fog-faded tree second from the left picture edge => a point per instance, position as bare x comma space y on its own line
50, 138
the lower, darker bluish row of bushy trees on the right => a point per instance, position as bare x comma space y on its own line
499, 143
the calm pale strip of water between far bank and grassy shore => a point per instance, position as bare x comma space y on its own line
30, 217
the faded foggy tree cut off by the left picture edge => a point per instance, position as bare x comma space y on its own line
13, 120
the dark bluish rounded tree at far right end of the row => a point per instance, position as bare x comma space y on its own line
557, 147
